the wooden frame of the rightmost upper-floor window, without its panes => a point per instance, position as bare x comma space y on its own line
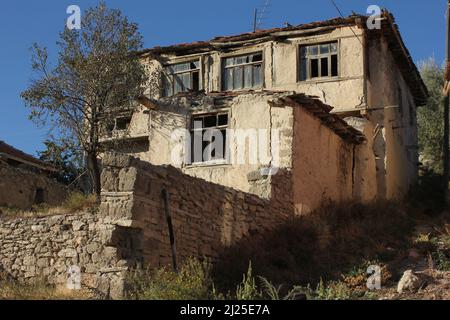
318, 57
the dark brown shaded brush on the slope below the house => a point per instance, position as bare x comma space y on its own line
324, 244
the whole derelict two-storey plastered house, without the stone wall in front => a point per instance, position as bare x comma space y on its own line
342, 96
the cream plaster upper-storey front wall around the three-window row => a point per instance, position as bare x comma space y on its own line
281, 67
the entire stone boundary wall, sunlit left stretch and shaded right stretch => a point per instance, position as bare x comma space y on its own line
130, 228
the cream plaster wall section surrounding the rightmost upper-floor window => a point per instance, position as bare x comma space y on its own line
345, 92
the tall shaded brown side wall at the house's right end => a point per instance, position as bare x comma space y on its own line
393, 111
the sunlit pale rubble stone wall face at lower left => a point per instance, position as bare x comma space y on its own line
45, 248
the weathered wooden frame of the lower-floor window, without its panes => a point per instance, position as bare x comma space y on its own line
192, 129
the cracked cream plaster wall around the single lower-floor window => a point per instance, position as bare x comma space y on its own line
247, 114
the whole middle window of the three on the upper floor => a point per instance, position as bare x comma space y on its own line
242, 72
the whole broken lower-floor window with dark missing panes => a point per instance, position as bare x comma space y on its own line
209, 137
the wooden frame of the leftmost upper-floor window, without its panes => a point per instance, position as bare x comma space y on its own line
169, 76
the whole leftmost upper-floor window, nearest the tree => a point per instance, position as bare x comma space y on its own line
182, 77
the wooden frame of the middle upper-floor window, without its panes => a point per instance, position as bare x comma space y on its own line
224, 67
